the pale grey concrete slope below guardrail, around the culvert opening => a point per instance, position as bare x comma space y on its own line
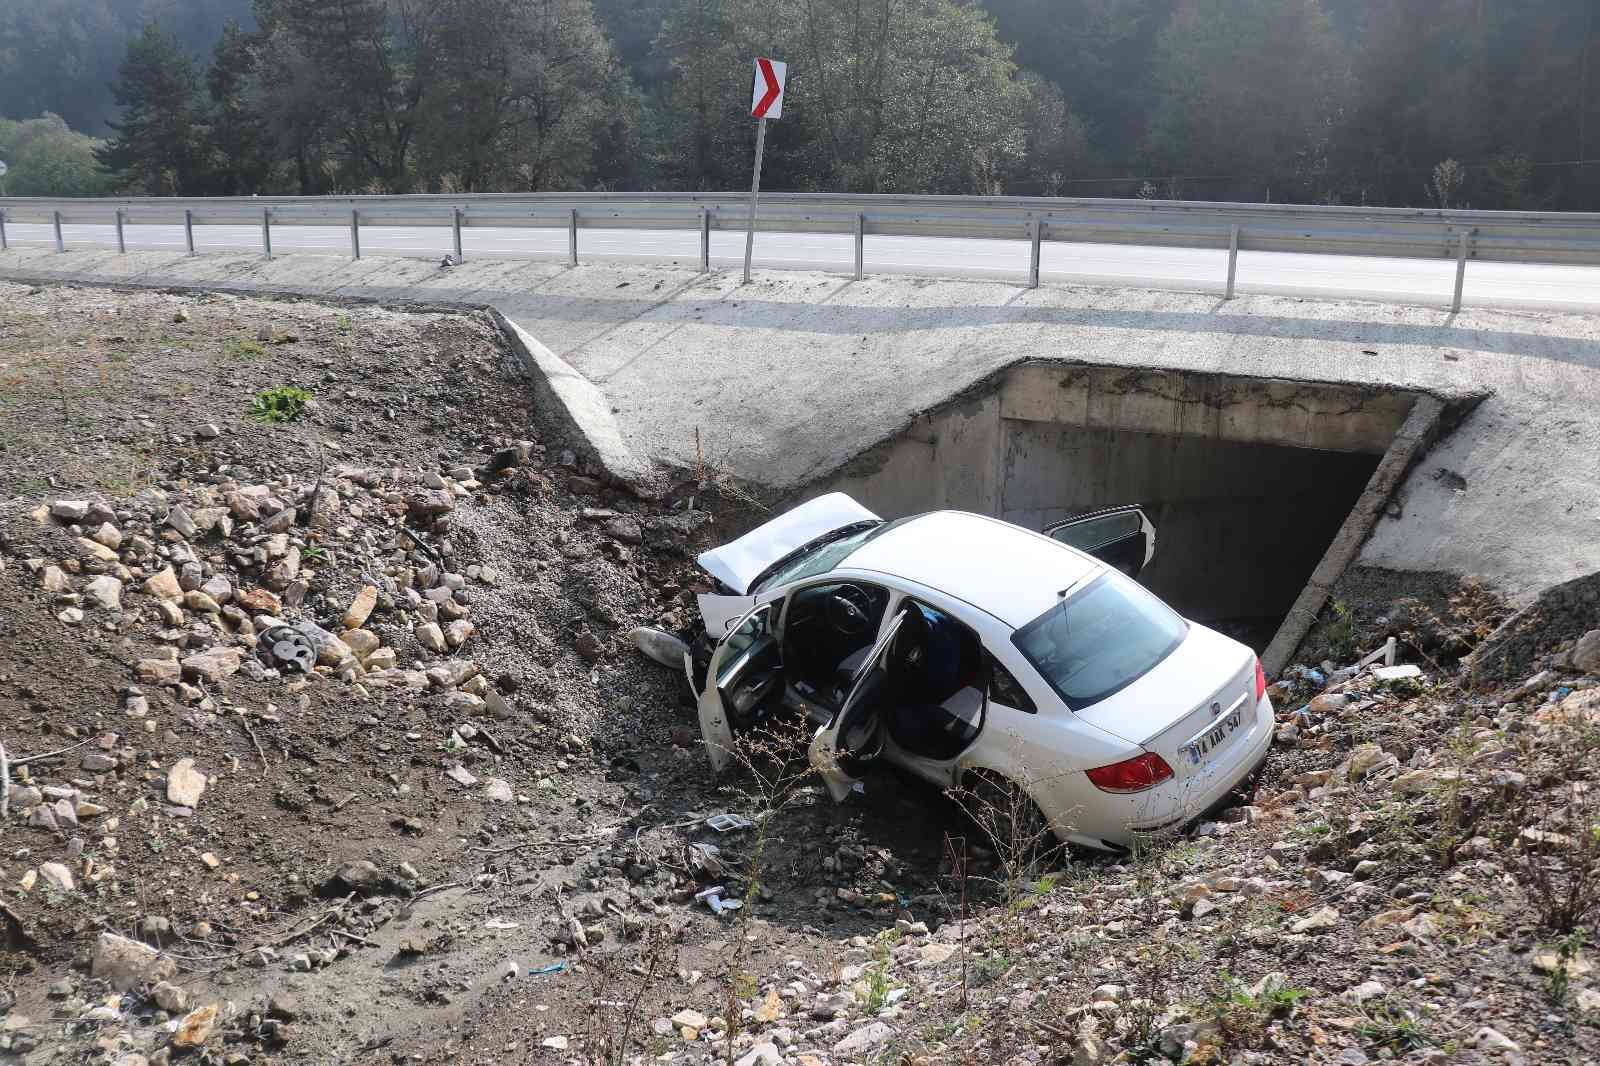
794, 375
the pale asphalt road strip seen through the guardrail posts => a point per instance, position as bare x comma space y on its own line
1398, 281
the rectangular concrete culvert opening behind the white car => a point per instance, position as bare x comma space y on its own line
1262, 491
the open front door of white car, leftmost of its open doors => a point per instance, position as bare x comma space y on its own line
745, 683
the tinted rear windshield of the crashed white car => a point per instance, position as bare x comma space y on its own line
1102, 639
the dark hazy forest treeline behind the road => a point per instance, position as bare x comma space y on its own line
1455, 103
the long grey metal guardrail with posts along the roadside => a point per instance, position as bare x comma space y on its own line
1342, 231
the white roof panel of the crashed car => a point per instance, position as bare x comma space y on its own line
994, 566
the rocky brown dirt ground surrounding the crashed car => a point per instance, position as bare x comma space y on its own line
474, 832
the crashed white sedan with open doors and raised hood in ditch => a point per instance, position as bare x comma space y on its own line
966, 649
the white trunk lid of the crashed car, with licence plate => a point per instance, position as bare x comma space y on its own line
1190, 699
